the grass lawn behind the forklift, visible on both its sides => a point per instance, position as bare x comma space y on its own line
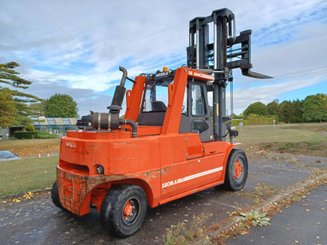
20, 176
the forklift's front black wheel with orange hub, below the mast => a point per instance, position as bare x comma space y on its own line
236, 170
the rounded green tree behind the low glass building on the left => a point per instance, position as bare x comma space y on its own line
60, 105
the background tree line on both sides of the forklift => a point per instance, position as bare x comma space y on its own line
17, 107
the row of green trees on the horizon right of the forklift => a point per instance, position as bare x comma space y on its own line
312, 109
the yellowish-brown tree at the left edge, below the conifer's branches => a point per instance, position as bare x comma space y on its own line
7, 108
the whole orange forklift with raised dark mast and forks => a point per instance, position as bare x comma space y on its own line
169, 143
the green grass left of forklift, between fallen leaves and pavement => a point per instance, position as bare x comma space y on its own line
21, 176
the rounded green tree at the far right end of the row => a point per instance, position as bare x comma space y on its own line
315, 108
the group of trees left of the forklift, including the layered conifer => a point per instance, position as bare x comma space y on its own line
18, 107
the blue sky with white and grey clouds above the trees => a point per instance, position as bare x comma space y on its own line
75, 47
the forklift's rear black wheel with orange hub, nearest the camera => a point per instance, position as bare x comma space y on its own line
113, 216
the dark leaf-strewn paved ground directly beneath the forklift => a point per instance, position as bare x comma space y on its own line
38, 221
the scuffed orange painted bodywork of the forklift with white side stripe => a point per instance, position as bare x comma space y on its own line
164, 162
